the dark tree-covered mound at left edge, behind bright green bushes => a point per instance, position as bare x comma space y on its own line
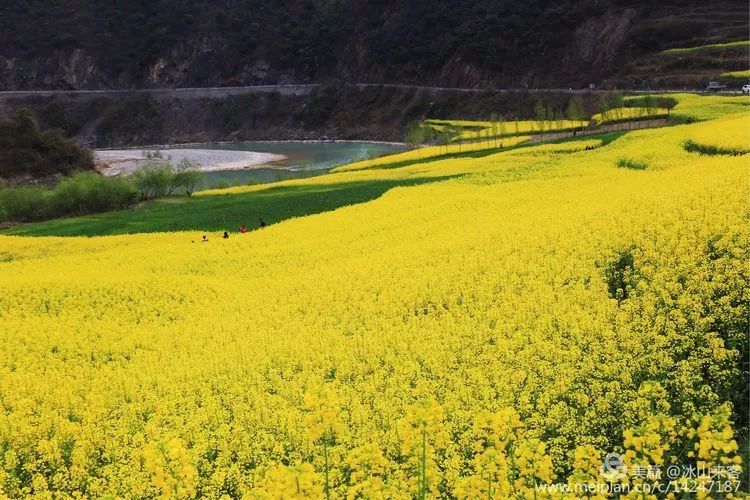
24, 149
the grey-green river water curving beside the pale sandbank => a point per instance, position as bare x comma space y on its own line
303, 159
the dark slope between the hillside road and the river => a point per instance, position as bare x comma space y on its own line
344, 112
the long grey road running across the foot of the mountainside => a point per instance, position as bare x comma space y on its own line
293, 90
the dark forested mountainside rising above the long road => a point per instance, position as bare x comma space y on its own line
470, 43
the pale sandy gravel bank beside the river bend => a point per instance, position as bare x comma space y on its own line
115, 162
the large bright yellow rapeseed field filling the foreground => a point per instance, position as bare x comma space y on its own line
474, 337
